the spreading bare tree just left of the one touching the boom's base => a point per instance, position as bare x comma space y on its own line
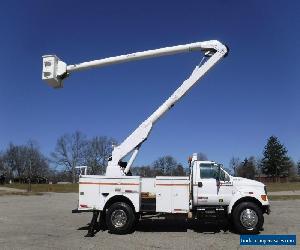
70, 152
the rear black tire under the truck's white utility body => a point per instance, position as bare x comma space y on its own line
116, 225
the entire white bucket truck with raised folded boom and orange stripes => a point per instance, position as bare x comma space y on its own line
208, 192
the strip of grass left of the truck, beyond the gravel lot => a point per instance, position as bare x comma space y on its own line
57, 188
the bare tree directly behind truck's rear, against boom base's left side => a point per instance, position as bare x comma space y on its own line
97, 153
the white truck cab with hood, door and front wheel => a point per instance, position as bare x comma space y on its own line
215, 192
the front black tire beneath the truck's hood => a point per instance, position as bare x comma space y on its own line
237, 216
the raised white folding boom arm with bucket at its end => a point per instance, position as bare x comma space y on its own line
55, 70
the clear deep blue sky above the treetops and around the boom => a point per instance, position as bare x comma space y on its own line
252, 94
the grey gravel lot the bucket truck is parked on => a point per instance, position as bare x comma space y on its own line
46, 222
